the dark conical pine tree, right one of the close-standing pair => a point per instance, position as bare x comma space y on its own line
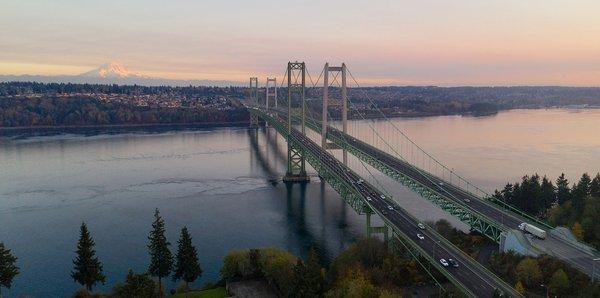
187, 266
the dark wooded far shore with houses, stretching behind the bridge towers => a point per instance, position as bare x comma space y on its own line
39, 105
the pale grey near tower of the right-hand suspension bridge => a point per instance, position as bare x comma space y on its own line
337, 71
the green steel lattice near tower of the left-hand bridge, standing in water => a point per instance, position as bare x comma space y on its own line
296, 74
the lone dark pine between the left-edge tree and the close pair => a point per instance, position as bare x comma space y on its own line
88, 269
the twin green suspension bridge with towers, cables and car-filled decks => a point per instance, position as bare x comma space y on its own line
424, 175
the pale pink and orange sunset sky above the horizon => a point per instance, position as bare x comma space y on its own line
458, 42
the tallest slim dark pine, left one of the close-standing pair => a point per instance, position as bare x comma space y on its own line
161, 260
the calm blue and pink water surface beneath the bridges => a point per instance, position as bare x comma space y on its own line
222, 184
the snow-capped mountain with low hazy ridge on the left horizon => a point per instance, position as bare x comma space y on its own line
116, 73
